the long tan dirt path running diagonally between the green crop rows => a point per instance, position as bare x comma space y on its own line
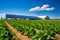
17, 33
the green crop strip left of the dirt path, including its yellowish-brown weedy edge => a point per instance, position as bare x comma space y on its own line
5, 32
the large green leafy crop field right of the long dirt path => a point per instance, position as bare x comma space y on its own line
37, 29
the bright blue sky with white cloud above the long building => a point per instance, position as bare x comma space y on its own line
49, 8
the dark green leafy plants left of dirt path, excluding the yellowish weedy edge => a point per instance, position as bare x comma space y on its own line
4, 32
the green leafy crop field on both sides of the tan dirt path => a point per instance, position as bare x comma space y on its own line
34, 29
